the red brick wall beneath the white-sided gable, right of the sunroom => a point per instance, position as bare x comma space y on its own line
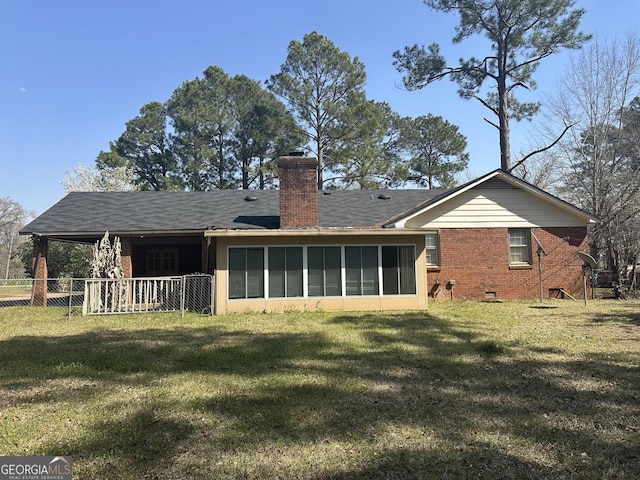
477, 259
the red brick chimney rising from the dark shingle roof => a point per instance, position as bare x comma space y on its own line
298, 191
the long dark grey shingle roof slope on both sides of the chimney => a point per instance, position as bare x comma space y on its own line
92, 213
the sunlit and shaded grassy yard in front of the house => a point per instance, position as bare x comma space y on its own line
465, 390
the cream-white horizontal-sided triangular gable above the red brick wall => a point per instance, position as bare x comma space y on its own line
496, 203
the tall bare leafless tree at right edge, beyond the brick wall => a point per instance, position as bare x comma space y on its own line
598, 99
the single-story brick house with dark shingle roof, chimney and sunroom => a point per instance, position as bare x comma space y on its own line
300, 248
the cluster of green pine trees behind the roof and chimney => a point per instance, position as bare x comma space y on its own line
220, 131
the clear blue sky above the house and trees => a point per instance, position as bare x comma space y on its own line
73, 72
